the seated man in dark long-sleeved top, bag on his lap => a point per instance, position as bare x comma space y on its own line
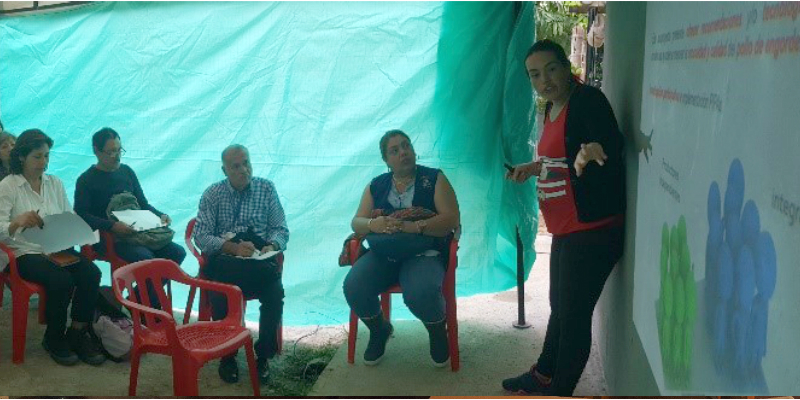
104, 182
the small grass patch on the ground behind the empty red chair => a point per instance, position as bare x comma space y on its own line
295, 373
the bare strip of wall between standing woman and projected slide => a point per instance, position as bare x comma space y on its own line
626, 368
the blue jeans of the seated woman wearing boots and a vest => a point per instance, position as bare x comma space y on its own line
420, 277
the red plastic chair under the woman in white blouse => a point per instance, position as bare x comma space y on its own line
21, 292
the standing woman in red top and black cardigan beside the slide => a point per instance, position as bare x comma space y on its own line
580, 173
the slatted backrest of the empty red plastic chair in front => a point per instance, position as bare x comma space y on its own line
136, 275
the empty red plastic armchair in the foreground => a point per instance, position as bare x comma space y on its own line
191, 345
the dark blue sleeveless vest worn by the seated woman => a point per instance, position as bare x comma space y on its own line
424, 188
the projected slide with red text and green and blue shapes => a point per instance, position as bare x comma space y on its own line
717, 281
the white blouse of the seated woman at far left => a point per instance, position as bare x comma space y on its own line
17, 197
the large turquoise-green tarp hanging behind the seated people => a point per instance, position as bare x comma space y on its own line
309, 88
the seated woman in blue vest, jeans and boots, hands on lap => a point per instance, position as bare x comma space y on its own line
411, 253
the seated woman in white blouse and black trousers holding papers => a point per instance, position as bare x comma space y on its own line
26, 196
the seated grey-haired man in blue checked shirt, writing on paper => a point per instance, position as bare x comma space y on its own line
238, 216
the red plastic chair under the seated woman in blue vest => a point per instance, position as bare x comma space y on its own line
448, 290
